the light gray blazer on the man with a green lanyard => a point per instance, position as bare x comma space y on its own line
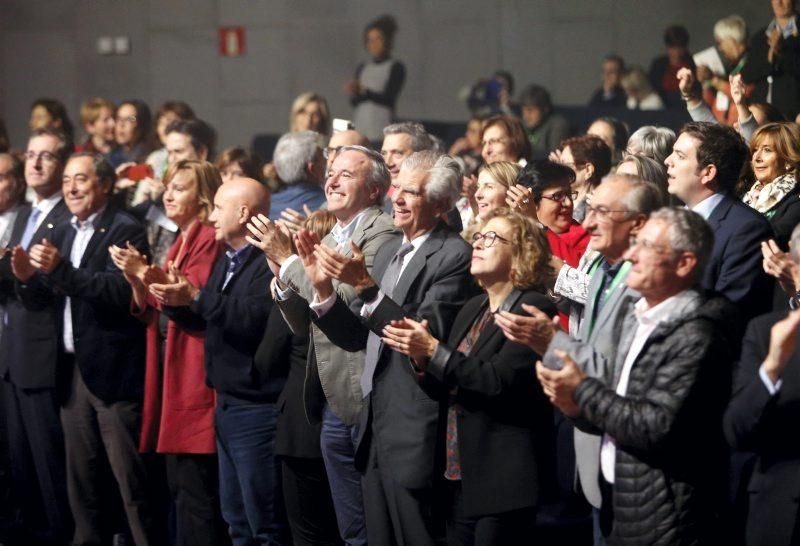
604, 337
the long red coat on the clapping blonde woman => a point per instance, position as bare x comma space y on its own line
178, 413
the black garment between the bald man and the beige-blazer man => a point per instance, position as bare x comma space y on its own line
295, 436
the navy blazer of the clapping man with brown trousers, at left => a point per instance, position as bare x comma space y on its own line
109, 342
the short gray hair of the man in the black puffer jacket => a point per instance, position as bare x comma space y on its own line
688, 232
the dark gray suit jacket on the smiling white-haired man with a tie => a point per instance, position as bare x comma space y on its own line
402, 411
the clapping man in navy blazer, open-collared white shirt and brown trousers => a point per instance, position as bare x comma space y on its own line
101, 345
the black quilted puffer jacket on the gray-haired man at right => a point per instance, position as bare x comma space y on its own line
670, 472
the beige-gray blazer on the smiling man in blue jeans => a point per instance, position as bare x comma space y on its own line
339, 371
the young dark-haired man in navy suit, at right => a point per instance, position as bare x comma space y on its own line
703, 169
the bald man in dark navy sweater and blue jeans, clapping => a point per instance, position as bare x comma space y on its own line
233, 308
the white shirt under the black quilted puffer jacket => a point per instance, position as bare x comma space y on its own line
648, 319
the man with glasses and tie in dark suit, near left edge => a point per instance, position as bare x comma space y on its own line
28, 354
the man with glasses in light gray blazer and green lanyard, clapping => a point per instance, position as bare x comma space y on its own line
620, 207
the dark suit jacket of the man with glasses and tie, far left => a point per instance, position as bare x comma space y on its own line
29, 345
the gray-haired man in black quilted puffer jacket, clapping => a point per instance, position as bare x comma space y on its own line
660, 408
